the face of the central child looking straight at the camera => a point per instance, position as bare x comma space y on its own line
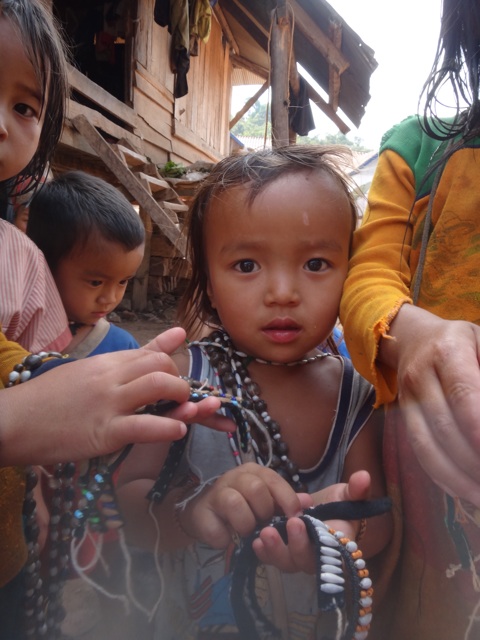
277, 267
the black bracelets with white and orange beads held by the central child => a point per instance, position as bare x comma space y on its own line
339, 561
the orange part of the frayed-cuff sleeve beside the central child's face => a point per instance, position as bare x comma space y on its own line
378, 283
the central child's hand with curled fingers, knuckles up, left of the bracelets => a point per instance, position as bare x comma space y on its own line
237, 502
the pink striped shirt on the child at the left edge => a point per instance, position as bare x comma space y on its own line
31, 312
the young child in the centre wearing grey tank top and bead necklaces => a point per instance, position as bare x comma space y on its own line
269, 235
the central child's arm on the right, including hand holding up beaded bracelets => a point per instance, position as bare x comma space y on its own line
365, 454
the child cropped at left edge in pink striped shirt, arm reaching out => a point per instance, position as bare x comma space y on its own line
65, 414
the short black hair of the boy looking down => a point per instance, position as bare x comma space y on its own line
69, 209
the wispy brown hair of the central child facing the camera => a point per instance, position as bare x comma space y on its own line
253, 171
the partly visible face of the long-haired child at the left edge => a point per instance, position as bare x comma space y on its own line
21, 117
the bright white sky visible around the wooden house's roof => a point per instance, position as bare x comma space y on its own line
404, 37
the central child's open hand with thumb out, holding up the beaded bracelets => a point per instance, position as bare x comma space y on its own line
298, 554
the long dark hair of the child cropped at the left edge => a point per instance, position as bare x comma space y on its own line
47, 52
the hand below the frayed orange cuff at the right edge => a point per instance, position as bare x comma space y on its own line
437, 363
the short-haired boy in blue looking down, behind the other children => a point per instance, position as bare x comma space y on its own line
93, 241
